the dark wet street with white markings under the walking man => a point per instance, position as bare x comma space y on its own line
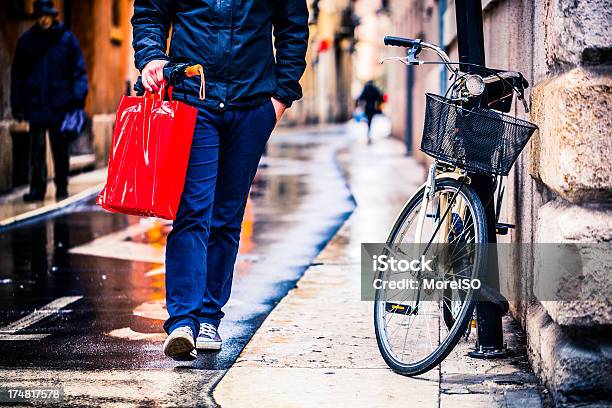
82, 290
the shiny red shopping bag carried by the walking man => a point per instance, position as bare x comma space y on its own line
149, 156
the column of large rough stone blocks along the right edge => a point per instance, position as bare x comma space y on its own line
571, 163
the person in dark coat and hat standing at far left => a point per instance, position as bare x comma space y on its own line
48, 80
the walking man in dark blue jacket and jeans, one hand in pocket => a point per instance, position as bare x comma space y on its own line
248, 87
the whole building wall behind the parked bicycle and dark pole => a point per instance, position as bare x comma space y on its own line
560, 190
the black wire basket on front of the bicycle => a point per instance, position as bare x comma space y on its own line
478, 140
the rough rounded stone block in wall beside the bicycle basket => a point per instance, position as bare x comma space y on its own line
572, 152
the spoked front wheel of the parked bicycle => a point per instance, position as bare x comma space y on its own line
415, 330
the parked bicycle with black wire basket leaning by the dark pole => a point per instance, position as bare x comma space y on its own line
445, 219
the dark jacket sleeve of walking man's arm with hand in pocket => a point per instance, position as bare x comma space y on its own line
291, 42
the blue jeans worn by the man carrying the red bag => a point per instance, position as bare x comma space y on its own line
203, 244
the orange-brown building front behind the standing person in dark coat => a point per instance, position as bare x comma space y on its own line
104, 33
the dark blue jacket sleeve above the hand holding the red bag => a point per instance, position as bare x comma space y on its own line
151, 25
